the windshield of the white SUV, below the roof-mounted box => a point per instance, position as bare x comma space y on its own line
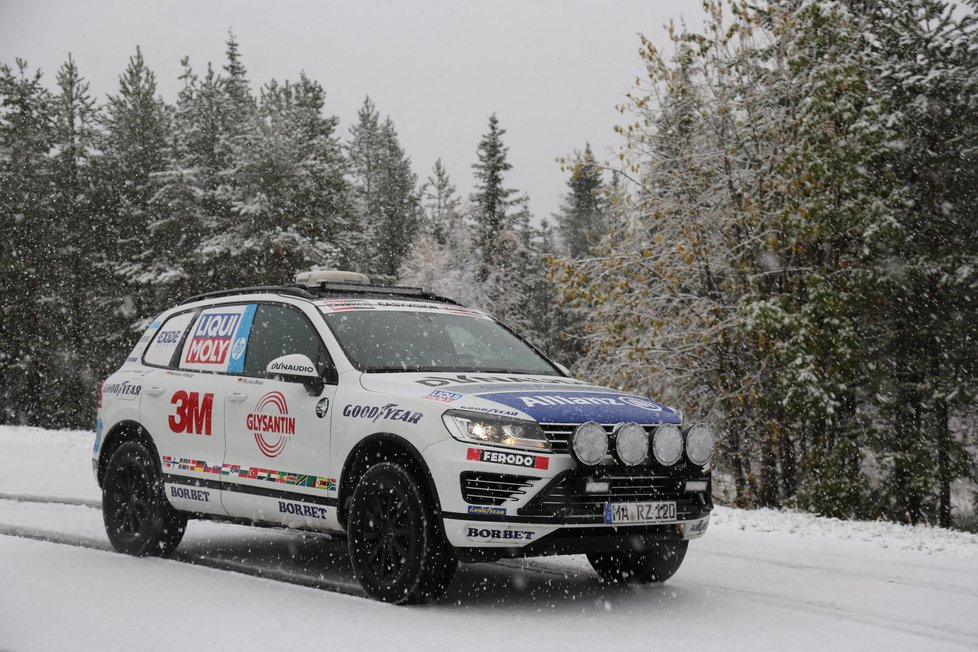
432, 340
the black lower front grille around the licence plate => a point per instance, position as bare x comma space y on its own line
566, 496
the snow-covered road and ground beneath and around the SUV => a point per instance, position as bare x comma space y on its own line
758, 579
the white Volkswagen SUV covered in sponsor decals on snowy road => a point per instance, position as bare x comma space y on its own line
429, 433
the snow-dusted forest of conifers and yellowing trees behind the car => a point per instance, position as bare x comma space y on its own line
784, 247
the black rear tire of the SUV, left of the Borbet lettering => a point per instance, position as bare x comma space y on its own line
137, 516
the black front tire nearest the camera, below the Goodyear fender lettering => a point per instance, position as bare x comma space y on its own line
399, 552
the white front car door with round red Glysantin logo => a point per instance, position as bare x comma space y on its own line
278, 439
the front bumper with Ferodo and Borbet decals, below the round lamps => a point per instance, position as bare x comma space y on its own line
491, 510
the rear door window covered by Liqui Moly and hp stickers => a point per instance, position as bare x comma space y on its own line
218, 339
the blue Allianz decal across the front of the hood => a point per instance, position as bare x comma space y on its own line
577, 407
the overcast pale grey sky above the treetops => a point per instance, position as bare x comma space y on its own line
552, 70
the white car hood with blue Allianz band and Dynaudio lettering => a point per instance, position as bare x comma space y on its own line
547, 399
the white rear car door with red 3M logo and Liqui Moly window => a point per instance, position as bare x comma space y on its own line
184, 403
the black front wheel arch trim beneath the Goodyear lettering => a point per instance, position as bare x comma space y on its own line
374, 449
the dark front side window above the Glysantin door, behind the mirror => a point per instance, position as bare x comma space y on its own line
281, 330
